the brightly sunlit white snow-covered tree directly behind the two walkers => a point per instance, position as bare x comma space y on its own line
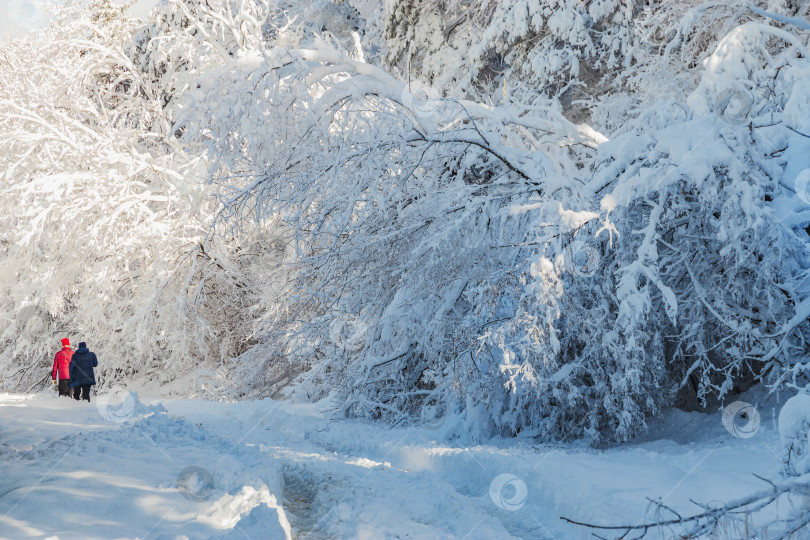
106, 222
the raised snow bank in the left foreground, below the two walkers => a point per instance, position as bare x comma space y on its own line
71, 472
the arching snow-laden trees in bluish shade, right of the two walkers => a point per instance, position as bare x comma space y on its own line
446, 233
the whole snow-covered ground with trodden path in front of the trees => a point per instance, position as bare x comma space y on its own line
122, 468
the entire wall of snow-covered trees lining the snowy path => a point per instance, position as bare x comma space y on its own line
396, 244
